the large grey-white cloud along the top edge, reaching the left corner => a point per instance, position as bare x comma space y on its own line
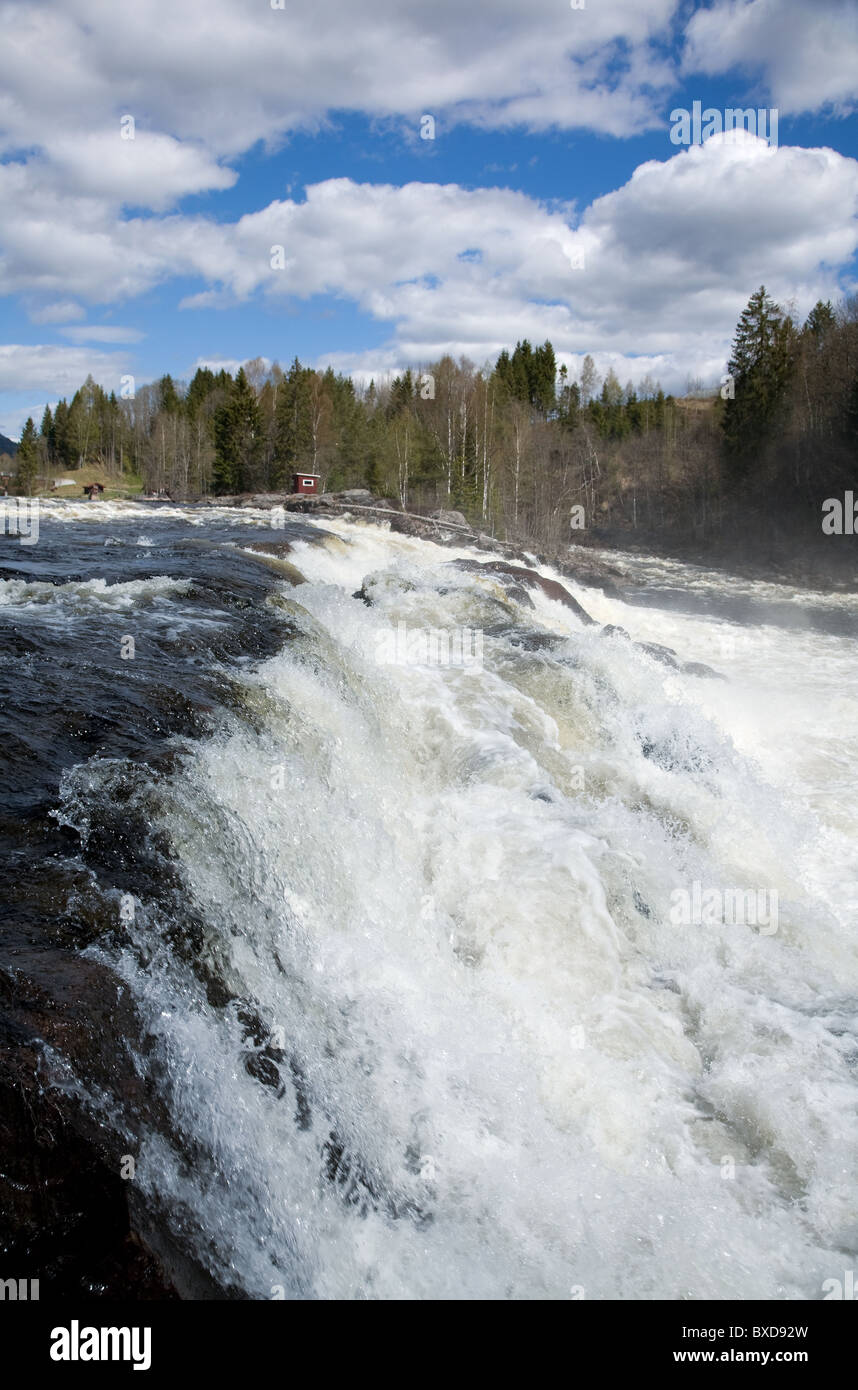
226, 74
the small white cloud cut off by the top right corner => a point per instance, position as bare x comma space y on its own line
807, 49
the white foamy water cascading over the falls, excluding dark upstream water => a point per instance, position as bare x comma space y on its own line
447, 893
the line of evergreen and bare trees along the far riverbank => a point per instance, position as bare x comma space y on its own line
515, 445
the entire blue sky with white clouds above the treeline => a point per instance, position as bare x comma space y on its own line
550, 204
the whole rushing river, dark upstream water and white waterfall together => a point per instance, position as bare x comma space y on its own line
414, 1017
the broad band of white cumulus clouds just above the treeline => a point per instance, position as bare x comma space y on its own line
658, 269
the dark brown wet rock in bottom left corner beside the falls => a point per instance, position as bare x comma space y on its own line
65, 1214
